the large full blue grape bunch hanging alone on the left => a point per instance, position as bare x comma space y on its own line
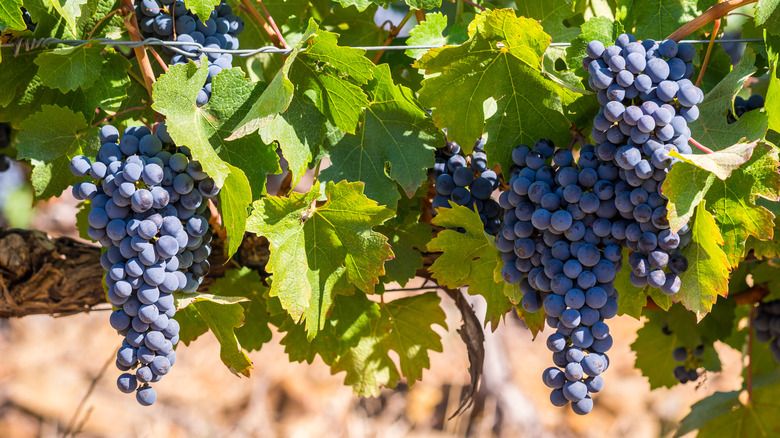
148, 206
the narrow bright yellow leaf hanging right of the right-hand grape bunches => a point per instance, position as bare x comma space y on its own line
708, 266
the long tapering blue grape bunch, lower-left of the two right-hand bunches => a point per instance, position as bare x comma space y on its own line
558, 243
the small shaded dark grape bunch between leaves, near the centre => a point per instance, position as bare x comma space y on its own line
467, 181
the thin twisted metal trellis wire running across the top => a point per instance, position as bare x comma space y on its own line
175, 46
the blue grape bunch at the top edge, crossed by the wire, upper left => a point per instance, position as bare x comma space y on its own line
171, 20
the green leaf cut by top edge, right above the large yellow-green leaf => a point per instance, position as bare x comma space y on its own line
553, 15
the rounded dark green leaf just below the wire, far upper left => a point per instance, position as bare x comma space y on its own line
70, 68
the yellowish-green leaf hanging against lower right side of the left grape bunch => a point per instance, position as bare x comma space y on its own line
247, 283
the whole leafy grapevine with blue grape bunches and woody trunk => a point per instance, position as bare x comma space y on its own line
572, 163
